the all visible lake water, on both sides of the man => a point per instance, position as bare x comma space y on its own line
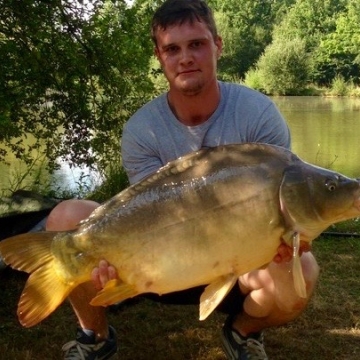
325, 132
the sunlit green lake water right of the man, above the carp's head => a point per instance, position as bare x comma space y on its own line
325, 131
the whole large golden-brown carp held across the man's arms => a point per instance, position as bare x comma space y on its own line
205, 218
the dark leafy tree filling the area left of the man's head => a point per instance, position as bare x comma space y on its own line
71, 75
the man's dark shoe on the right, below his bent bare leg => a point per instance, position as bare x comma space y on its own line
237, 347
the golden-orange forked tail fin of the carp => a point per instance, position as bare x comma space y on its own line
45, 290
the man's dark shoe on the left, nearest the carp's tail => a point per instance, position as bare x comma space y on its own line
85, 347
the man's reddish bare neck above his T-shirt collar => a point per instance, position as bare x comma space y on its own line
194, 110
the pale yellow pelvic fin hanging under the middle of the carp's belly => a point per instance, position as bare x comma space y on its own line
214, 293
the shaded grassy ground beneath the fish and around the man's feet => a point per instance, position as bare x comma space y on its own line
328, 329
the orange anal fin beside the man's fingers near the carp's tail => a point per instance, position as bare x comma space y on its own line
113, 292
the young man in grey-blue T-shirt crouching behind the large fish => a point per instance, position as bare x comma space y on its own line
197, 111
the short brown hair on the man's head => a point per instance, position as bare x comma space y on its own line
177, 12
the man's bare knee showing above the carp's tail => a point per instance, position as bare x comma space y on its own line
68, 214
